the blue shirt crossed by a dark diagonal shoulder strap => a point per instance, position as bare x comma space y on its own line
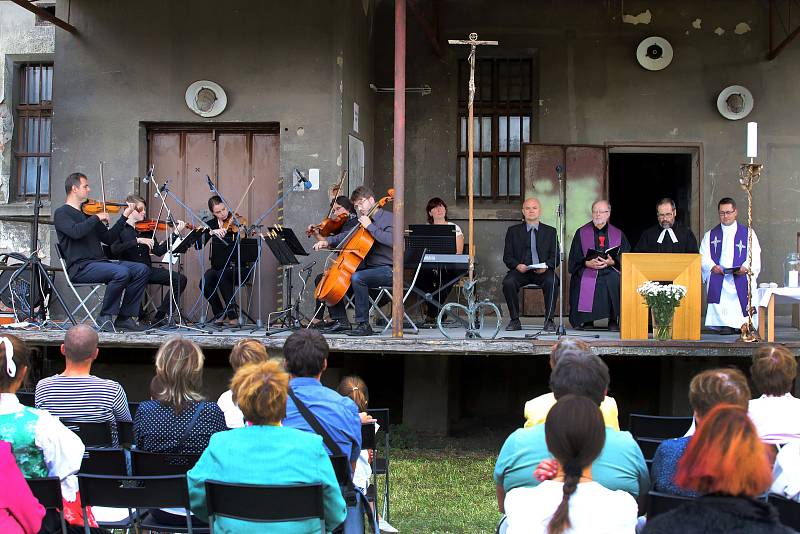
338, 415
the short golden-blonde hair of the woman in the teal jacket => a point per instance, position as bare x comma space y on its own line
260, 390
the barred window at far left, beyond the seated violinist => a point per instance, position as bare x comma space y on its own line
34, 118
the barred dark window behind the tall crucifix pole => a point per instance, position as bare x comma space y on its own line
503, 113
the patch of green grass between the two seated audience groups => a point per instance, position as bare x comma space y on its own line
446, 489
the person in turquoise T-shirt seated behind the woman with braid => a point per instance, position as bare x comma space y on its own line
620, 465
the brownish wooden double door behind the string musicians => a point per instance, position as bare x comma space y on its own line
231, 158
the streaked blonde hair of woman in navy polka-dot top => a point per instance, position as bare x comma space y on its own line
179, 373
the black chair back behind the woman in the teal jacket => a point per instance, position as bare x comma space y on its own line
265, 503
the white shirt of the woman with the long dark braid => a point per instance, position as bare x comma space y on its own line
593, 509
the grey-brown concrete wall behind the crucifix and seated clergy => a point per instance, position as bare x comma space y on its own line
592, 91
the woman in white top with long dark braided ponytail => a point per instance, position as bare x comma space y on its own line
572, 503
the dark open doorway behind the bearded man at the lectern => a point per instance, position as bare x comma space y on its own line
637, 181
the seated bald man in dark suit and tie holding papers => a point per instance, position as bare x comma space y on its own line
527, 244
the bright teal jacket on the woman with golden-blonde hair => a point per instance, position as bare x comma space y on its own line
266, 455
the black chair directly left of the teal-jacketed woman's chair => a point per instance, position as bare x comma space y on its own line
136, 494
